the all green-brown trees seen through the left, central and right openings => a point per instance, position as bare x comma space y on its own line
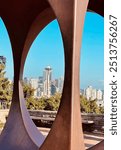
52, 103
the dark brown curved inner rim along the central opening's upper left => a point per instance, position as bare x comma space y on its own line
41, 21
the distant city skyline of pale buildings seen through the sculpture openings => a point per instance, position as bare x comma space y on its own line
47, 86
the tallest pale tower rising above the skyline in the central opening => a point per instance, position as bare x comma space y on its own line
47, 78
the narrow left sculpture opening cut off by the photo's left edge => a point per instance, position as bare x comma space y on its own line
6, 74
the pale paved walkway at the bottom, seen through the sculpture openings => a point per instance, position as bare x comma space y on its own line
89, 139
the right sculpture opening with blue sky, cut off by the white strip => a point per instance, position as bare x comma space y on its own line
92, 78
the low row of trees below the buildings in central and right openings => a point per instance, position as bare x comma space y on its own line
52, 103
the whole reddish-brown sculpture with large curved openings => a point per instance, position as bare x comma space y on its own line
24, 20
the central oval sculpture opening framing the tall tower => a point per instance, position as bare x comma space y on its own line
43, 77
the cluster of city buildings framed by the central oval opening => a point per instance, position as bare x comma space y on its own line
45, 86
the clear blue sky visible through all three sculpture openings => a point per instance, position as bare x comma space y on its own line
47, 49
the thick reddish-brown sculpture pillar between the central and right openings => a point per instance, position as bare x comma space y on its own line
69, 108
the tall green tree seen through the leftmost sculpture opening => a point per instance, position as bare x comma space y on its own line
5, 88
